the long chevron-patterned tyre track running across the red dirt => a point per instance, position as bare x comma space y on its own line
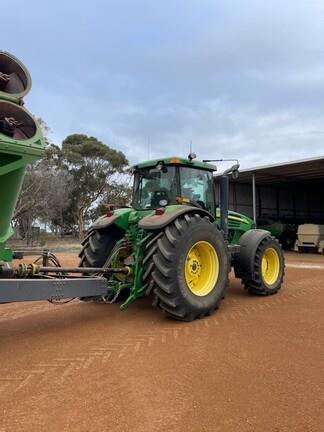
62, 368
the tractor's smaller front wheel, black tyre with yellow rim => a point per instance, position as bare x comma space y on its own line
269, 281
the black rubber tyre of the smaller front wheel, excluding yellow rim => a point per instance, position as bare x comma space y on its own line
256, 285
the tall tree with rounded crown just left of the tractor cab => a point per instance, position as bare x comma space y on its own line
92, 165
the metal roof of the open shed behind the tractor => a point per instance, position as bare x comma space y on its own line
299, 170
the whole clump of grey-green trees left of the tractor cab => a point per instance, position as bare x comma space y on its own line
67, 186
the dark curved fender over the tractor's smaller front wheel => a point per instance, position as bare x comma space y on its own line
243, 262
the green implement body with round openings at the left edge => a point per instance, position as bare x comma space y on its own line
21, 141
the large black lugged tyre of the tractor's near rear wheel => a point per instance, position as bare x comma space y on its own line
173, 293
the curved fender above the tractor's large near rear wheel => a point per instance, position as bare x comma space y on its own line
155, 222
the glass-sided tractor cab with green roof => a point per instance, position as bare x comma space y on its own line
172, 181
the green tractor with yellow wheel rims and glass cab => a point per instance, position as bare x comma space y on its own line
175, 243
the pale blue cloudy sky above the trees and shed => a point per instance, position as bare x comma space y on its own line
240, 79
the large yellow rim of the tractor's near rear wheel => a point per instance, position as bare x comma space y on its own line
201, 268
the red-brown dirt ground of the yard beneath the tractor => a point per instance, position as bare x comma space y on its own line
257, 364
